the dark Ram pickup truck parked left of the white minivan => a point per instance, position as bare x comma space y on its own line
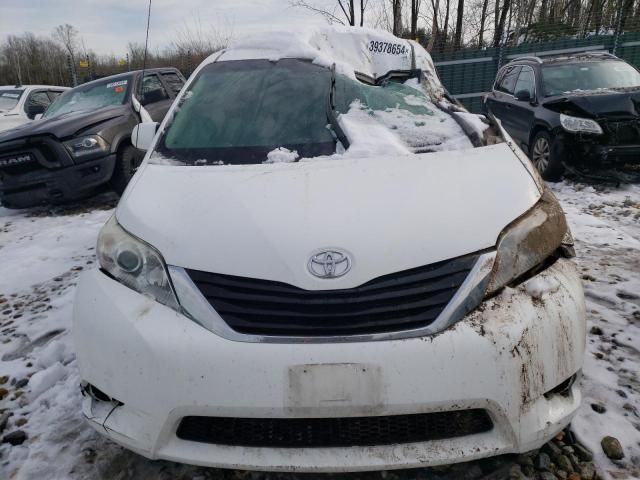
83, 141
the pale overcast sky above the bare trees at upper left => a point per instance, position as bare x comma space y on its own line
108, 25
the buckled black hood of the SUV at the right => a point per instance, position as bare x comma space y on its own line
598, 104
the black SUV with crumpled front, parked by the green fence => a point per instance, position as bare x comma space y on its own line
579, 113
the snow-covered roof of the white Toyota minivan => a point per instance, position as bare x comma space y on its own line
355, 51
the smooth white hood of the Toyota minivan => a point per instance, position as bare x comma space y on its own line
387, 214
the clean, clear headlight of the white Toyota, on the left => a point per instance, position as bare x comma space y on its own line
134, 263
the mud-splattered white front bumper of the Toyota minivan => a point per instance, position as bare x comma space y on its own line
503, 358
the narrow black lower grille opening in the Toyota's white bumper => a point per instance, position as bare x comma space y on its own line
333, 432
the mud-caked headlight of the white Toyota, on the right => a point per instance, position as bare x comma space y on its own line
529, 242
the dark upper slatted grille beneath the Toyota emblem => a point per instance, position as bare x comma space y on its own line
400, 301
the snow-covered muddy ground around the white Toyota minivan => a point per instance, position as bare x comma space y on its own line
42, 252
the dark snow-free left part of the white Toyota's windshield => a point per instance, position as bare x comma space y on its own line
236, 112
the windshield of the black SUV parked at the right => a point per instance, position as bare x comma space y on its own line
559, 79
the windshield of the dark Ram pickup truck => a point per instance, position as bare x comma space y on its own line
90, 97
